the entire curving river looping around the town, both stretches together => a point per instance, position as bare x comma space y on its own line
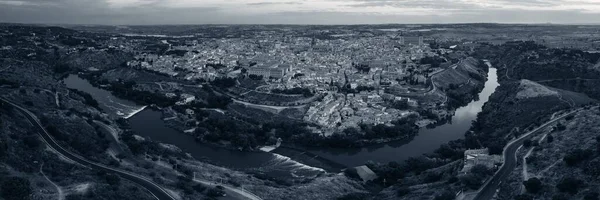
148, 123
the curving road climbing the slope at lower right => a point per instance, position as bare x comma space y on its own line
510, 161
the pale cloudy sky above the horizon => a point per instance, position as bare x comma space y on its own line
116, 12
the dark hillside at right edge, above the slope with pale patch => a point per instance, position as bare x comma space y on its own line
567, 69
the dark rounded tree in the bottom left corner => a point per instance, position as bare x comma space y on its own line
16, 188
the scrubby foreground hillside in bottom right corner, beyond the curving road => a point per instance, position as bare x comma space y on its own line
561, 163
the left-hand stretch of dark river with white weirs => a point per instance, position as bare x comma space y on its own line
148, 123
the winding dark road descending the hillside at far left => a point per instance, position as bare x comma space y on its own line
156, 190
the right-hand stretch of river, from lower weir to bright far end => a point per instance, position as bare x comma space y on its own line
425, 142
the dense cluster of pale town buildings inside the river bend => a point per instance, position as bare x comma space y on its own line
359, 77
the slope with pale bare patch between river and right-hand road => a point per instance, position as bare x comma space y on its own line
516, 107
